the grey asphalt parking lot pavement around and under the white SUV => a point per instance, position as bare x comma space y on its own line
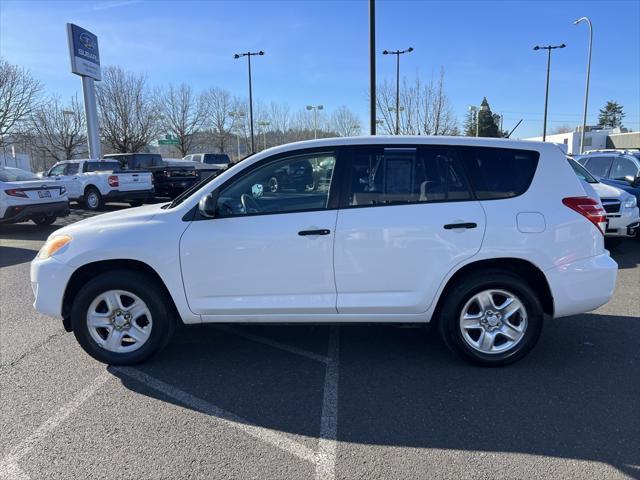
330, 402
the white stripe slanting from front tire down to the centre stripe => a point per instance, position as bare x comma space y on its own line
276, 439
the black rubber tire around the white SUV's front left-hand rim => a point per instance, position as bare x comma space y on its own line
148, 290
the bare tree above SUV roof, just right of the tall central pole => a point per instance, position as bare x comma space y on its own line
424, 109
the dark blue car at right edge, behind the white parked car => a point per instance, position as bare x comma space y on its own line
619, 168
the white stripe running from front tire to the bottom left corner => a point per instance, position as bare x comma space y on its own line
9, 467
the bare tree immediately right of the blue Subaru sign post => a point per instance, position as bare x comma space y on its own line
129, 120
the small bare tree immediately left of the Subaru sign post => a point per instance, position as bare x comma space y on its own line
59, 131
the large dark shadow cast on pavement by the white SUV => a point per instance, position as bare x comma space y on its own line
575, 396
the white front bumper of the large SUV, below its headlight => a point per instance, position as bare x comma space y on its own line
49, 279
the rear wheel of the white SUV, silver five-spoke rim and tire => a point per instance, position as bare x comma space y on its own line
491, 318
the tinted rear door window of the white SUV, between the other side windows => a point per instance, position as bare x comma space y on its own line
395, 176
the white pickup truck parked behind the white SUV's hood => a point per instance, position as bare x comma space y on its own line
96, 182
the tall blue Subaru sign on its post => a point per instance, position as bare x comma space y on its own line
85, 61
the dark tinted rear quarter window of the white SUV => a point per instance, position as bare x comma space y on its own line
499, 172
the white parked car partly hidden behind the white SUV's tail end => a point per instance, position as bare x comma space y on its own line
623, 216
